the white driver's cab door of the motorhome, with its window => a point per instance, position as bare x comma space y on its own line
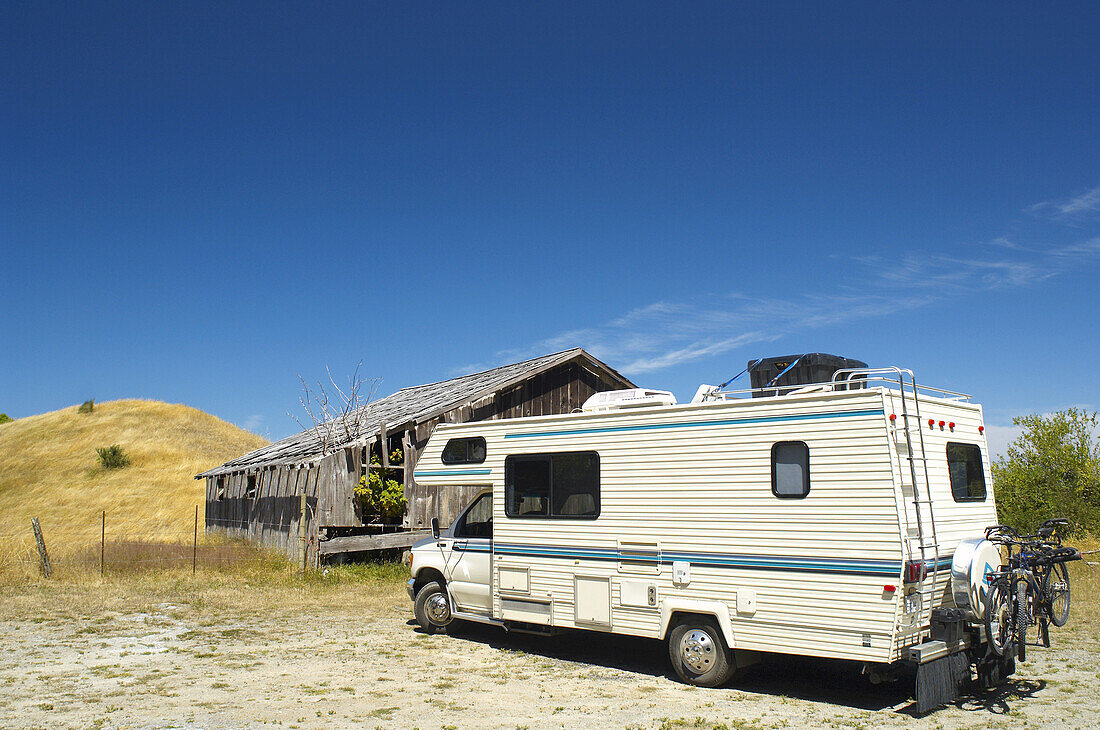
472, 550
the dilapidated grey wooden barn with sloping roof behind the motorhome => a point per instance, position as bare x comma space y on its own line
295, 497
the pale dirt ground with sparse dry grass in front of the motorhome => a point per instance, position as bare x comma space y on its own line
196, 662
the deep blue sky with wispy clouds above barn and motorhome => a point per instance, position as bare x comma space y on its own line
201, 202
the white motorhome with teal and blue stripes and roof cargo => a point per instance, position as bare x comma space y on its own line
821, 522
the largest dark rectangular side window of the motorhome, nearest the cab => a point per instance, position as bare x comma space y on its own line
553, 485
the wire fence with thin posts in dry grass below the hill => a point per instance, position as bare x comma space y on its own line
113, 547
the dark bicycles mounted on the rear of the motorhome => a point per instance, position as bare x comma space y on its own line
1031, 589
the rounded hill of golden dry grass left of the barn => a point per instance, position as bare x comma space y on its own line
50, 470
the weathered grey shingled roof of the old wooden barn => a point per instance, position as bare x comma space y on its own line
414, 405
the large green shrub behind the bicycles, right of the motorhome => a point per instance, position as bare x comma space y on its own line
1052, 470
